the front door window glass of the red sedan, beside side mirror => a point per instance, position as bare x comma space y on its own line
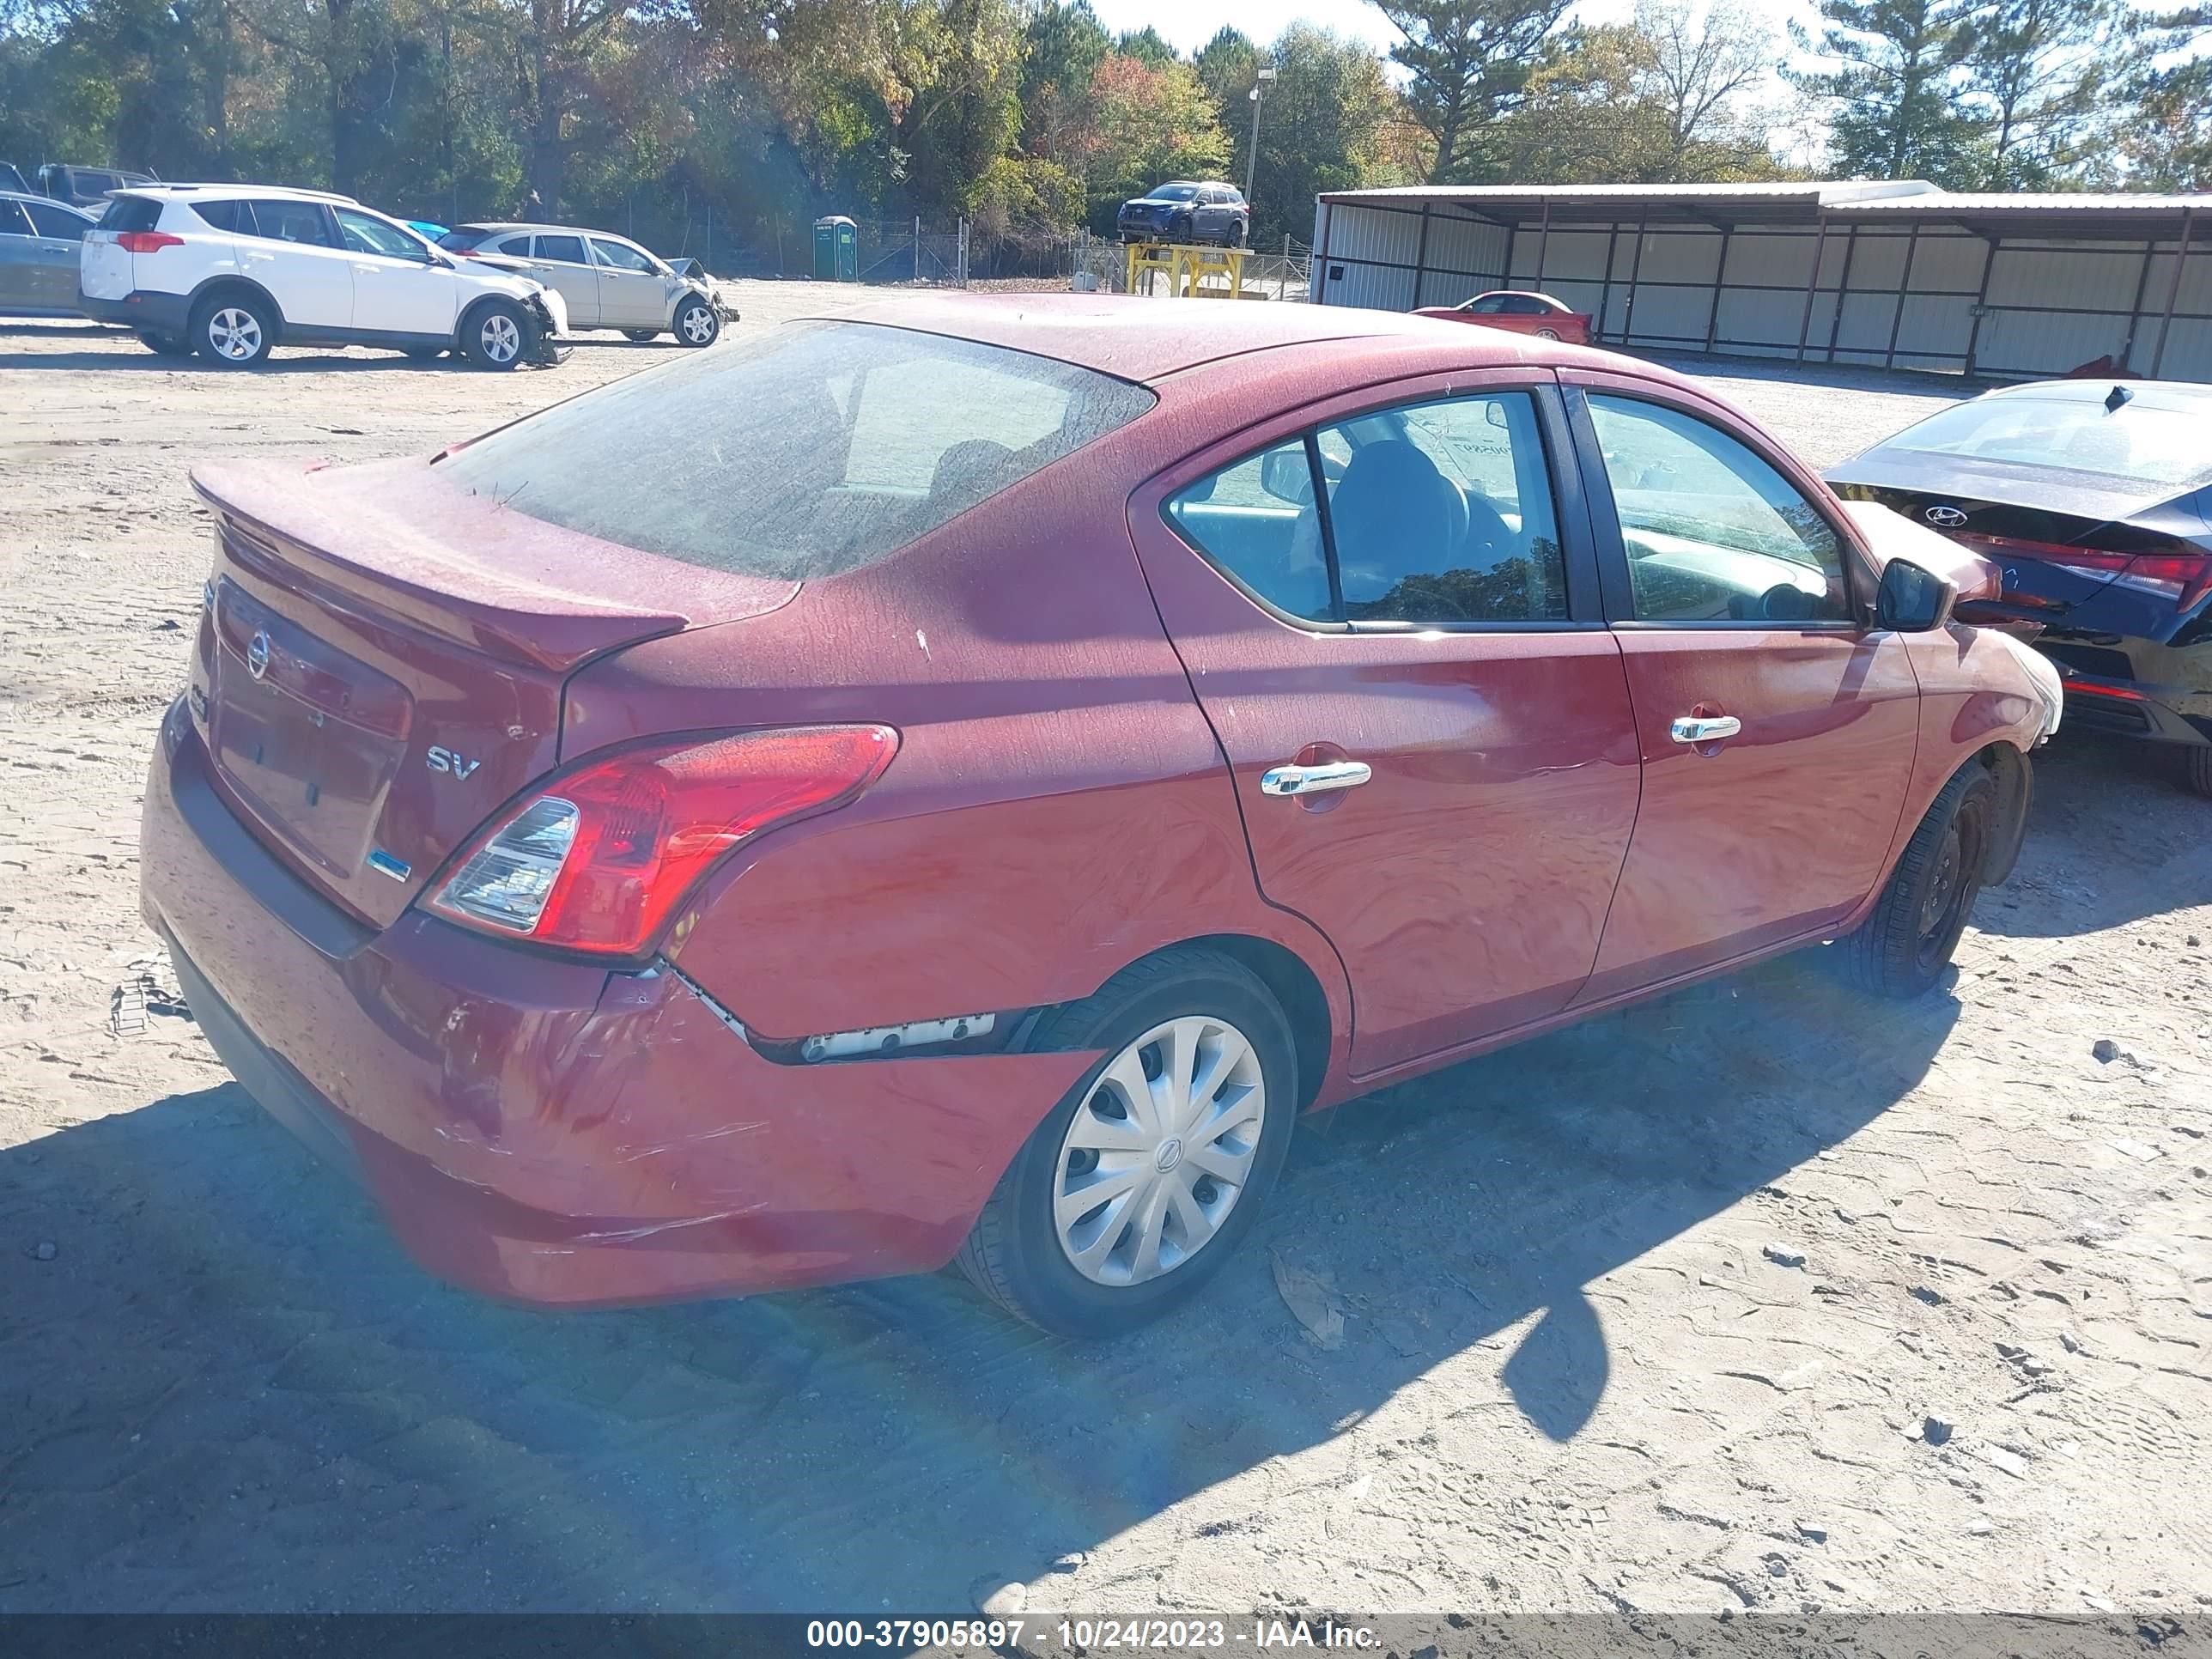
1713, 532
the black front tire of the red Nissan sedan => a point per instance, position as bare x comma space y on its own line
1906, 946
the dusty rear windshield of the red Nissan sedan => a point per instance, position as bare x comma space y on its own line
802, 452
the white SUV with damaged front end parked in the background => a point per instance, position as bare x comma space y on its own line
231, 271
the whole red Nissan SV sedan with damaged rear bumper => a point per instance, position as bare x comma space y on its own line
961, 784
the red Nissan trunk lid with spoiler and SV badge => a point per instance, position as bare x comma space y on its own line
388, 654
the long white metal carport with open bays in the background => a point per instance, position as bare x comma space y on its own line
1895, 275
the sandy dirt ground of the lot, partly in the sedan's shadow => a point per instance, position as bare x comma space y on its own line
1757, 1297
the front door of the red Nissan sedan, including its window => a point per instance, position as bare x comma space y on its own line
1775, 722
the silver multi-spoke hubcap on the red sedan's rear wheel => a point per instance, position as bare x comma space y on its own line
1160, 1151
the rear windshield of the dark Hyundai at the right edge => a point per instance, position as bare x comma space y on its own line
2133, 444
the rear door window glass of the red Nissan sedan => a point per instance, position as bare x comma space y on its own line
1430, 514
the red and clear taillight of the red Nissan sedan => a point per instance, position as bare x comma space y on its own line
603, 857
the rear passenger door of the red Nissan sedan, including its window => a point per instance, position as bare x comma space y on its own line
1397, 638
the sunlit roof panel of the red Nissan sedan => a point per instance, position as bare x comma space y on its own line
1149, 340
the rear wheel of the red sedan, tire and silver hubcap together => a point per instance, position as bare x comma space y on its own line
1149, 1173
